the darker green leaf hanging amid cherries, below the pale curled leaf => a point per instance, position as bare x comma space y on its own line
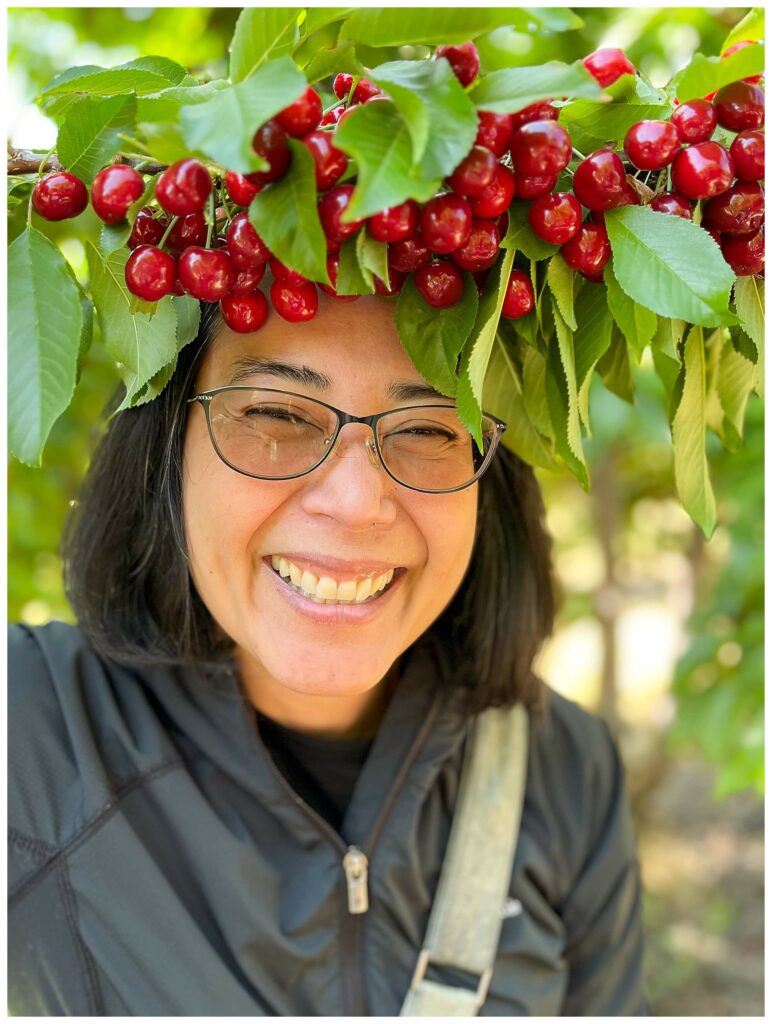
286, 218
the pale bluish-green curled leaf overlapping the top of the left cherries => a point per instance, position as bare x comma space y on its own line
223, 127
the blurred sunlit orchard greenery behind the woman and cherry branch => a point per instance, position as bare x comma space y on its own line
661, 632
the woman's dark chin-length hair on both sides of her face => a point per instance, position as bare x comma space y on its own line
127, 577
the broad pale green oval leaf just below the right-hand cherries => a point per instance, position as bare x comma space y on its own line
673, 268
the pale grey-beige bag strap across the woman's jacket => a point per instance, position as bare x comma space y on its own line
466, 918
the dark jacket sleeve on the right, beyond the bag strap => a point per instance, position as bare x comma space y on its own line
603, 914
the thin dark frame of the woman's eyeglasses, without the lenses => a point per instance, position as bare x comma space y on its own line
205, 399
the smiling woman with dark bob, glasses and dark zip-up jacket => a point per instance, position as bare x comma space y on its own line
194, 765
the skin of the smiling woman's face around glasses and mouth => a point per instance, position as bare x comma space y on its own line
347, 509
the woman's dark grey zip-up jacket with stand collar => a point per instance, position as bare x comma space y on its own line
161, 865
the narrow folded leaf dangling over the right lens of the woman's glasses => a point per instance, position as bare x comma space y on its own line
480, 345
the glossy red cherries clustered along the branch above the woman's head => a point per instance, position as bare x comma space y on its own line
177, 251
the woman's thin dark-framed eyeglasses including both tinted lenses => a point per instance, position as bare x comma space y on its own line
280, 436
